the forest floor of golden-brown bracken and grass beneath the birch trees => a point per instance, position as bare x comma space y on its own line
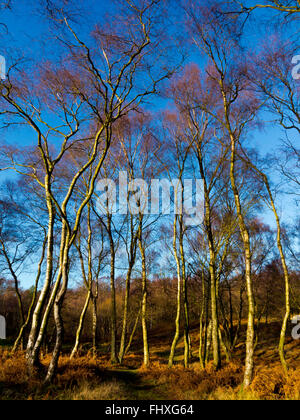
84, 378
